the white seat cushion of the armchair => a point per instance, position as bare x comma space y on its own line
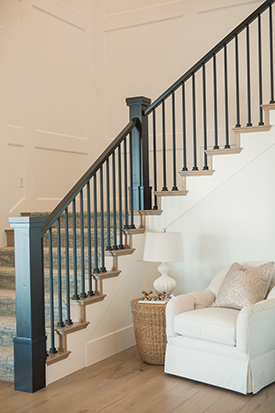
212, 324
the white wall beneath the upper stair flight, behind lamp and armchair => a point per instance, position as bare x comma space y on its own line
233, 222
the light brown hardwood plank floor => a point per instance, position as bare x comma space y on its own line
124, 383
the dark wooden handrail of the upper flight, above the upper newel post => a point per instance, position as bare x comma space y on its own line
208, 56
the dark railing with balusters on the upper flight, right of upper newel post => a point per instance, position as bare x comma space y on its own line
192, 90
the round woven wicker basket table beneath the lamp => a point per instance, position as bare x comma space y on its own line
150, 331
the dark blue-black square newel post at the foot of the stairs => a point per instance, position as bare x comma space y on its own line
30, 341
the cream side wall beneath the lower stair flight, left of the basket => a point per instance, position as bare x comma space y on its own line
111, 327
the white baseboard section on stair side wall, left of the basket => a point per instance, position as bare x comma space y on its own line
106, 346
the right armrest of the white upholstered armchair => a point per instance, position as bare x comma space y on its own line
255, 332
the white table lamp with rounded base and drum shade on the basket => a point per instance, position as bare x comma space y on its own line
163, 247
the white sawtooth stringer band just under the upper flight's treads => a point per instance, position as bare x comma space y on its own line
225, 167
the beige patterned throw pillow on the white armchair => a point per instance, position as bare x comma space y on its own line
242, 287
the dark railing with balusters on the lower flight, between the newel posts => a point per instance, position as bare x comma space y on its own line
83, 219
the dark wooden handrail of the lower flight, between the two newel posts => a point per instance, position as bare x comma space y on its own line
60, 208
